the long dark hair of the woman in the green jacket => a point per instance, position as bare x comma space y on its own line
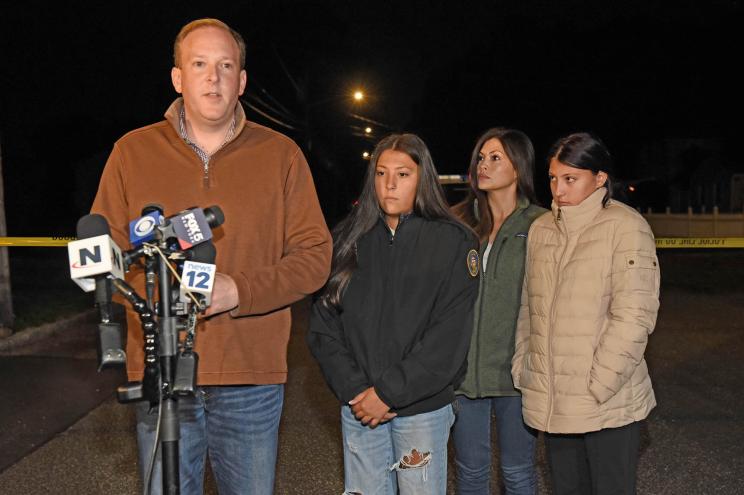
474, 210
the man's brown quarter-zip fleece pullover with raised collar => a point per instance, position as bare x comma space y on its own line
274, 242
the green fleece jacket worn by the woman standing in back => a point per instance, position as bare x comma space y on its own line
497, 308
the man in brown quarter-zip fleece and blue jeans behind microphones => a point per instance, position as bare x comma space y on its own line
273, 249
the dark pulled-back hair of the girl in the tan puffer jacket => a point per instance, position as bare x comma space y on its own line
585, 151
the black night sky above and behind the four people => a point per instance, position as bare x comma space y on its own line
76, 76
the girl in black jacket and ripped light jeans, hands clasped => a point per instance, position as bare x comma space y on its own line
391, 328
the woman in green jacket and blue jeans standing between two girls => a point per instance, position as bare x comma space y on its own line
500, 208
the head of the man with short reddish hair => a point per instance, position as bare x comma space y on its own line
209, 77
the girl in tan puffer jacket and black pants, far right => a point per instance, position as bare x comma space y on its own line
589, 303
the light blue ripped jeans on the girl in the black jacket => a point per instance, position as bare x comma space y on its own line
407, 453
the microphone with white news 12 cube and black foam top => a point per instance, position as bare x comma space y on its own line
198, 274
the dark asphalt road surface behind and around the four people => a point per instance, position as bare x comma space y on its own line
693, 442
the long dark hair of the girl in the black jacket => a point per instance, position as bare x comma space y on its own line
429, 204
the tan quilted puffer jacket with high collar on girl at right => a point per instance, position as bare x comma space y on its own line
589, 303
